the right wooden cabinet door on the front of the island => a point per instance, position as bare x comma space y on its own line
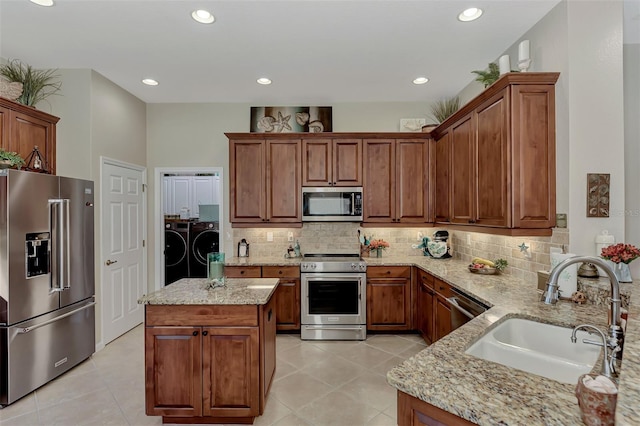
231, 371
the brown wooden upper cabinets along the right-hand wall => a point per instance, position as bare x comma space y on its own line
500, 151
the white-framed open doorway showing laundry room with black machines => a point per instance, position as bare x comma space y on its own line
188, 209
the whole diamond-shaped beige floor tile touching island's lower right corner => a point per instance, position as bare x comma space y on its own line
298, 389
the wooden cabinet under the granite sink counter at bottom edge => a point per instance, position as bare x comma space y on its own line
415, 412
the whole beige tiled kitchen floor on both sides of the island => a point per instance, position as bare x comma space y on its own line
317, 383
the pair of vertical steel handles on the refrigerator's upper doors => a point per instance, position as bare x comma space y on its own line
60, 259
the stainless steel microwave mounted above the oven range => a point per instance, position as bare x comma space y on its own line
332, 204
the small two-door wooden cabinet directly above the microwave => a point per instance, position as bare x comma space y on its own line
332, 162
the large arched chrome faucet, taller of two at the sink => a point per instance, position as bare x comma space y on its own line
550, 296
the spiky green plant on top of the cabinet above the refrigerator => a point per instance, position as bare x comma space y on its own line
37, 85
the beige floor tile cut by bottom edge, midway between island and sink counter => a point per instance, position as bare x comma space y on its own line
339, 409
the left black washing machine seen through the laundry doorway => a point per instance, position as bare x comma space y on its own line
176, 251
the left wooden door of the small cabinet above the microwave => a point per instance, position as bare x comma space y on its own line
316, 162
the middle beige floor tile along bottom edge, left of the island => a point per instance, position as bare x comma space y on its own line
97, 408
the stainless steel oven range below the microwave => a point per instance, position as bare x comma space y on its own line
334, 297
